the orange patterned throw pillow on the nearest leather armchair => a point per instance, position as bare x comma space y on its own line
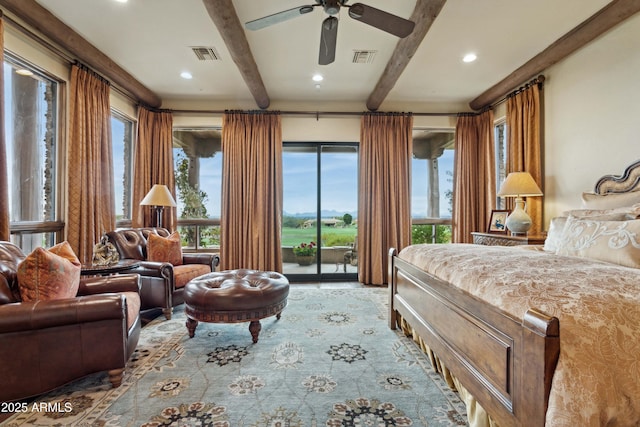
48, 274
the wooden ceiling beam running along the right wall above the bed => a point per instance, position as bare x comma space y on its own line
601, 22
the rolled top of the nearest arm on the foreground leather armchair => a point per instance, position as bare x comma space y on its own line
29, 316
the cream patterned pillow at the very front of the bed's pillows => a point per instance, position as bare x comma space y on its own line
616, 242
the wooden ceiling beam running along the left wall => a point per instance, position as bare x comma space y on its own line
43, 21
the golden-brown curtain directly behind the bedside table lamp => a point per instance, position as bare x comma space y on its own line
524, 145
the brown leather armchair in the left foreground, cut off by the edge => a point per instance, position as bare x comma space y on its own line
46, 344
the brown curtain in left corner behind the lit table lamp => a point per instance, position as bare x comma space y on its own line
153, 165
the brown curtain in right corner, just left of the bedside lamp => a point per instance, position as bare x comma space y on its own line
474, 184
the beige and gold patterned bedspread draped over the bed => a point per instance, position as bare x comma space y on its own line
597, 380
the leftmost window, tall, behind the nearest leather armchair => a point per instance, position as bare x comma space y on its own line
31, 124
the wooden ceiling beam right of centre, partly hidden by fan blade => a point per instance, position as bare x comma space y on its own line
424, 14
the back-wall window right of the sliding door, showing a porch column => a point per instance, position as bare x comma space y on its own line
432, 186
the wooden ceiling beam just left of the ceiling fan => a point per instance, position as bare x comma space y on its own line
224, 16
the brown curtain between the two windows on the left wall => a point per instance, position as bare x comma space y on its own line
91, 206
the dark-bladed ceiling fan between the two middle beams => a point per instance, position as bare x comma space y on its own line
377, 18
